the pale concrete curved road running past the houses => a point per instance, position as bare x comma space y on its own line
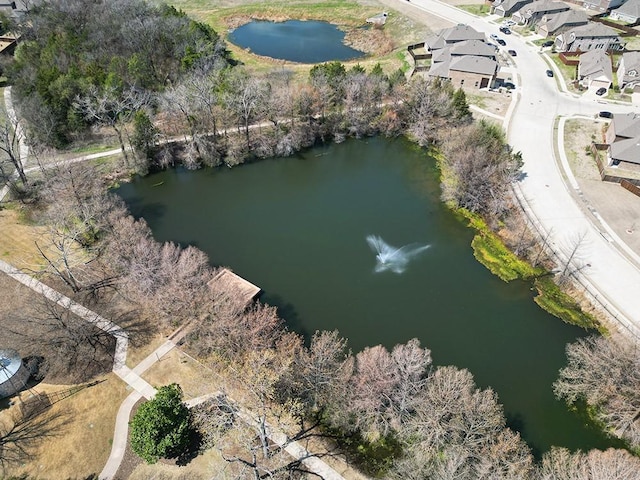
615, 279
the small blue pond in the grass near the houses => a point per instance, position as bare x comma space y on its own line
294, 41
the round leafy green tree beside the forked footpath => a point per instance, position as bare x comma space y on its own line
162, 426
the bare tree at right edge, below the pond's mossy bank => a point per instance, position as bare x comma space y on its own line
605, 372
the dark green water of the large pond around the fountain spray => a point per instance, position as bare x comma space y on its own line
297, 228
